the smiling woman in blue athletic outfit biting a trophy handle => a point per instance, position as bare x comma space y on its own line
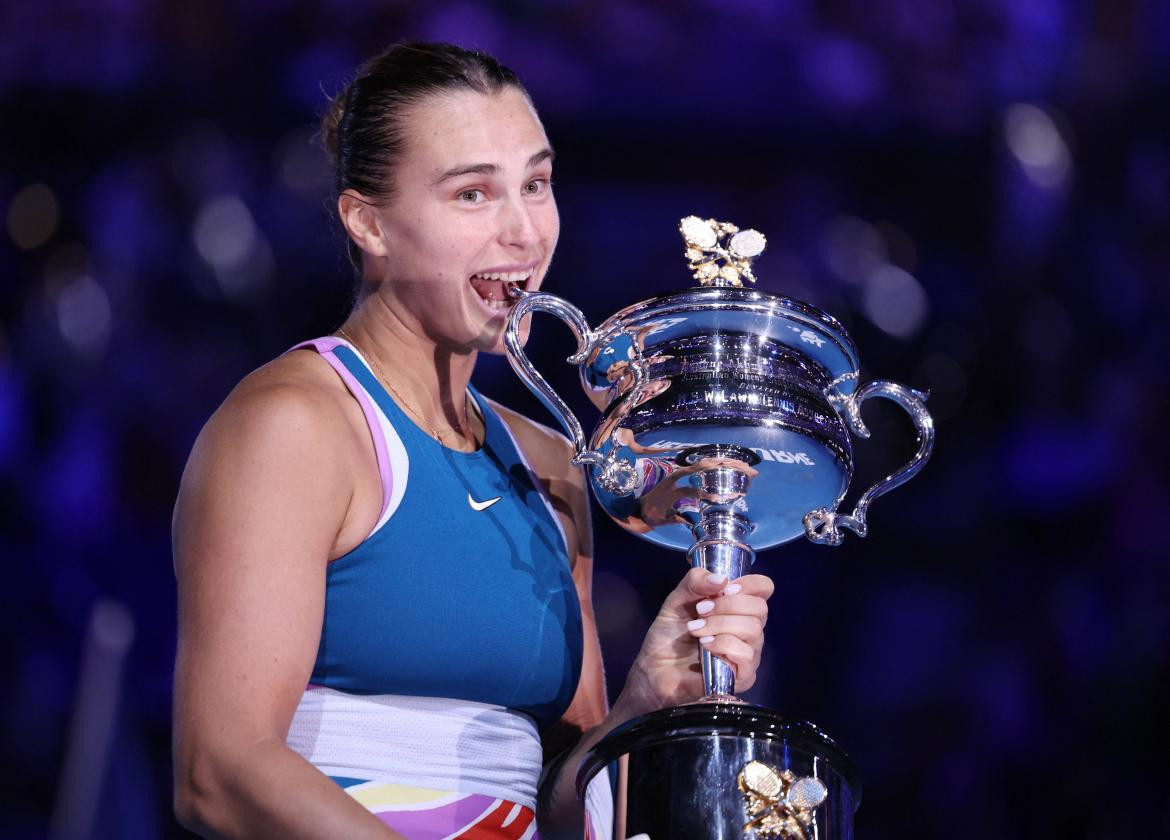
384, 577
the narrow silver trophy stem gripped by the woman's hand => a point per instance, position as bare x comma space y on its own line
720, 549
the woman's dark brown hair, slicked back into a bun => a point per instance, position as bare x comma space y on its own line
364, 128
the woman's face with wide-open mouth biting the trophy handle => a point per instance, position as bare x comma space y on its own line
472, 214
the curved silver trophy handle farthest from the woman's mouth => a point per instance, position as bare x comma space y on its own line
824, 526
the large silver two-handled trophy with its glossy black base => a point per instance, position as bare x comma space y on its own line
725, 431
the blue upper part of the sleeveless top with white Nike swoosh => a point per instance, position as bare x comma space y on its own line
465, 591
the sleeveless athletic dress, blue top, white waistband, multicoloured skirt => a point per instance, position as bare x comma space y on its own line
452, 636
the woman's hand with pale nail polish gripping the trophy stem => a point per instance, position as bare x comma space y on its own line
727, 618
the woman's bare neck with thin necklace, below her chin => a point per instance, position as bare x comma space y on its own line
432, 381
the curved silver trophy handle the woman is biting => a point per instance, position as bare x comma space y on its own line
616, 476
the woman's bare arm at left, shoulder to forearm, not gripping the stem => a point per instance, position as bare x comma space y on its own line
261, 508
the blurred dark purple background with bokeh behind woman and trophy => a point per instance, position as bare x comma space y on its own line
980, 190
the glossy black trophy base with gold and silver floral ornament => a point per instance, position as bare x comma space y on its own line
687, 781
